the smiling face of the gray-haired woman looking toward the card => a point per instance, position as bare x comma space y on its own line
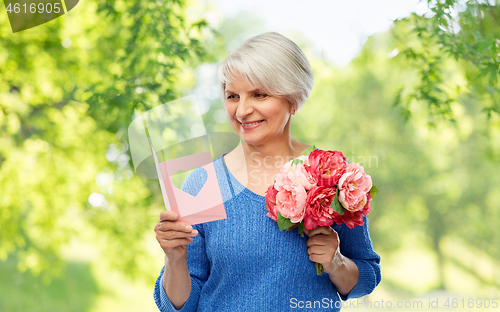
255, 115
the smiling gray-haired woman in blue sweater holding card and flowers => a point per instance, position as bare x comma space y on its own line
244, 262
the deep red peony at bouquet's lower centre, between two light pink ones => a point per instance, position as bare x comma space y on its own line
318, 211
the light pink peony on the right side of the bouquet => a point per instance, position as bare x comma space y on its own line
354, 186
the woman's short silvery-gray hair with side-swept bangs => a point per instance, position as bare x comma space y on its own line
272, 62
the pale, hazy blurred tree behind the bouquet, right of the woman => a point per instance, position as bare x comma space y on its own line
434, 185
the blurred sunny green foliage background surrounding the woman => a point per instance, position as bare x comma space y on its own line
419, 113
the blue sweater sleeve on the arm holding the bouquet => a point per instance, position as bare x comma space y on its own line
356, 244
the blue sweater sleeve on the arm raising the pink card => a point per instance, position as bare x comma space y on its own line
197, 261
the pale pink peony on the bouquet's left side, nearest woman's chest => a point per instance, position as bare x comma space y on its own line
291, 197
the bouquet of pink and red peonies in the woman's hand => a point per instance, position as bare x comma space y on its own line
319, 188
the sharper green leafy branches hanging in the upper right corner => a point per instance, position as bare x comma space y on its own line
465, 32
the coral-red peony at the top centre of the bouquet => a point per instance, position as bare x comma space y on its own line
327, 166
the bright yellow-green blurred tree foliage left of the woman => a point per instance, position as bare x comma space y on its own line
68, 90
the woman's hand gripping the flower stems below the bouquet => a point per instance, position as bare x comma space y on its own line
324, 248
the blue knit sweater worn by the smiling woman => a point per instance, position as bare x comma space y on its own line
245, 263
